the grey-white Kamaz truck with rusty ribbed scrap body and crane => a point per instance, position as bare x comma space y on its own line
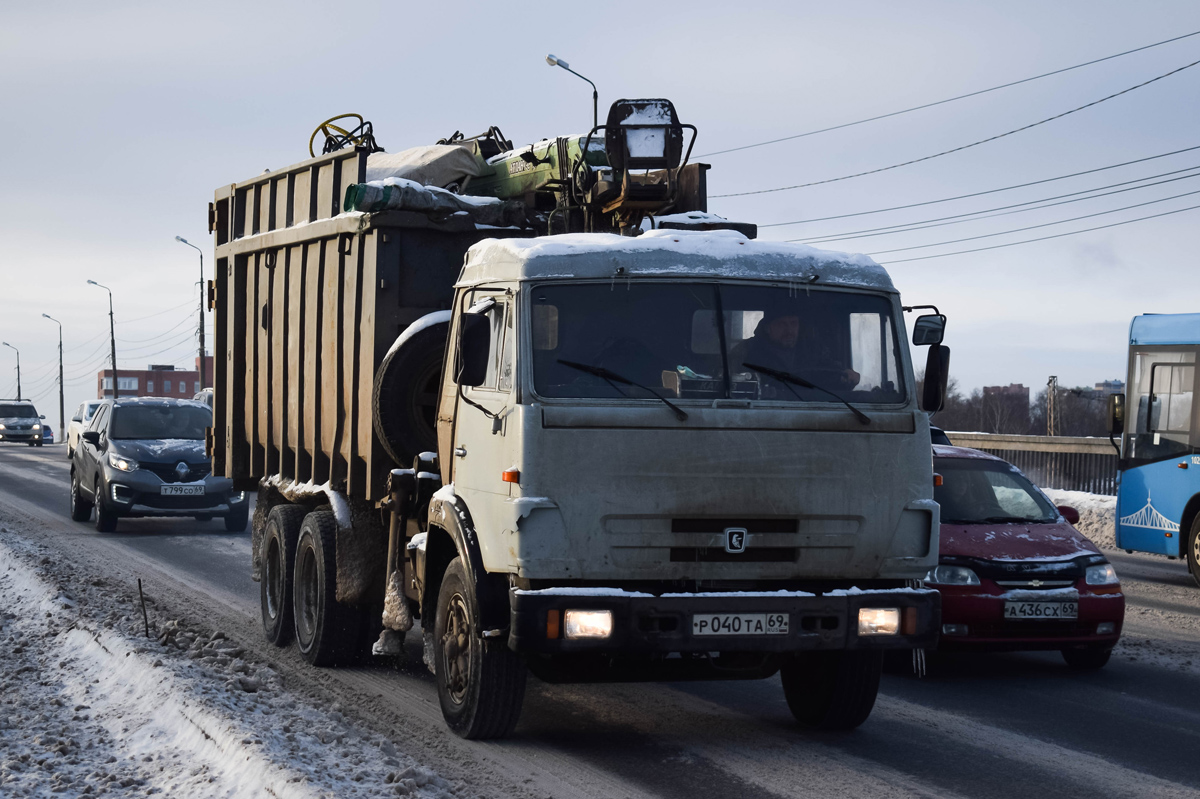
543, 407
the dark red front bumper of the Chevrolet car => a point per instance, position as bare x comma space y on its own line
981, 610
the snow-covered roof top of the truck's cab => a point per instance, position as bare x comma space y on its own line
667, 254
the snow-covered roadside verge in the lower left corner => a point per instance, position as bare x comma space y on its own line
91, 707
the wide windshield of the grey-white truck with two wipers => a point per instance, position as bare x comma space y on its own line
694, 341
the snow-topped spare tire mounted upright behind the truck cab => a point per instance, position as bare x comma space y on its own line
405, 399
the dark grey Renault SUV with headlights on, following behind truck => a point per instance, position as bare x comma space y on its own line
146, 458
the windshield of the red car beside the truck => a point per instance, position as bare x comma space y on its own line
976, 491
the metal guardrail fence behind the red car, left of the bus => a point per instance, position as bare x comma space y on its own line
1072, 464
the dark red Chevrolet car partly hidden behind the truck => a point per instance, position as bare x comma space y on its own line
1012, 570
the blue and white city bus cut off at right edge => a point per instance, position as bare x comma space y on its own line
1159, 491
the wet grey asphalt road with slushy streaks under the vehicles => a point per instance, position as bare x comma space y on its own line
975, 726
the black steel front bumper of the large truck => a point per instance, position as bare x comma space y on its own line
650, 624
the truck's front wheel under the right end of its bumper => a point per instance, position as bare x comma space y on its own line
833, 690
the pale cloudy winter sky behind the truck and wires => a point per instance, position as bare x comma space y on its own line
123, 118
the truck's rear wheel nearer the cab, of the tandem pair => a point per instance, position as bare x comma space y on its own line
327, 632
